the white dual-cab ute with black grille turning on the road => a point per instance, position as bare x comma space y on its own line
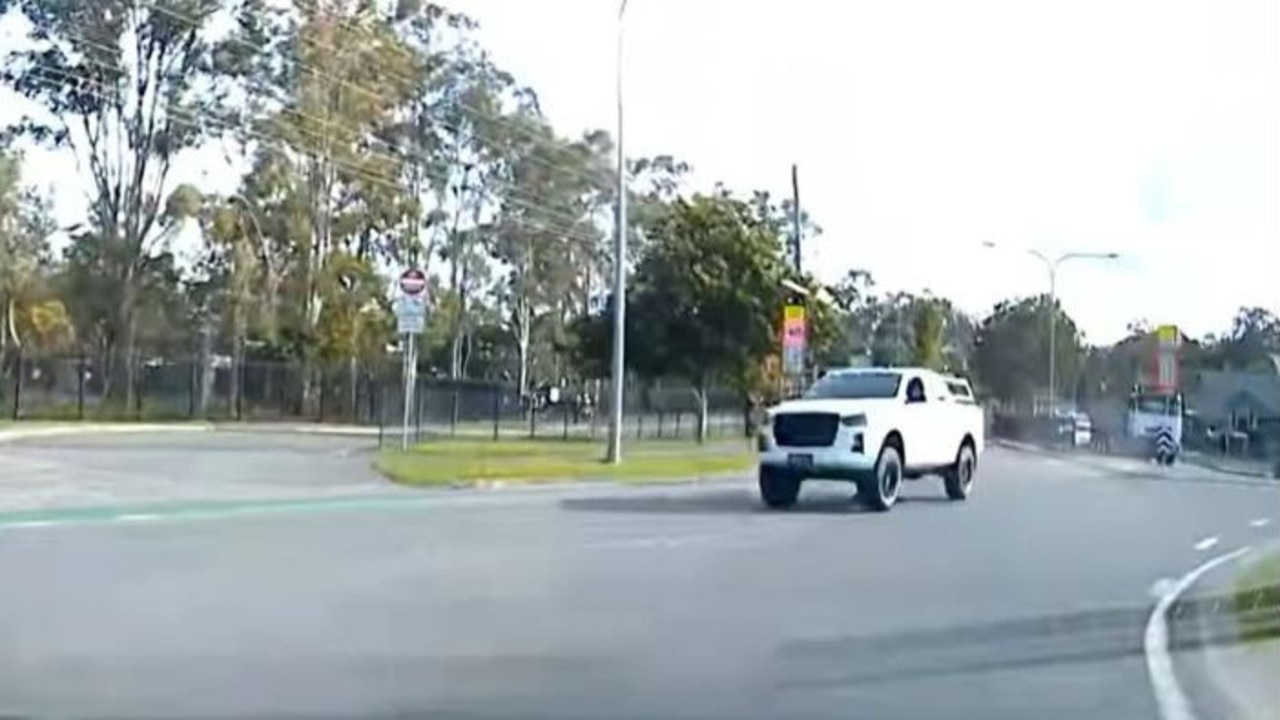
874, 427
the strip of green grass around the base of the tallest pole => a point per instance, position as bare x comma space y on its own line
467, 462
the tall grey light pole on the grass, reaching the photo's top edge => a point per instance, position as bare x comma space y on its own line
620, 270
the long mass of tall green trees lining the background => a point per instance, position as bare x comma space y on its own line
367, 138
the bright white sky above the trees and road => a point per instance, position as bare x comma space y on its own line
924, 129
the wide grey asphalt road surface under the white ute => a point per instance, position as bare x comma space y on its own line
1027, 601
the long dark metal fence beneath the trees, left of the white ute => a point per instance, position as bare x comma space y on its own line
354, 394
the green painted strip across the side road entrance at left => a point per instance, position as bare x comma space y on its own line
203, 511
